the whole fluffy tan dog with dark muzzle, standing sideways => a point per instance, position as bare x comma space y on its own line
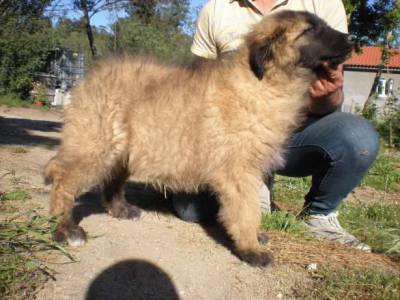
221, 124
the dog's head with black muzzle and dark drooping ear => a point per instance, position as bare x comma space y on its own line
296, 39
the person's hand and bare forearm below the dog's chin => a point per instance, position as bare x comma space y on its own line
326, 93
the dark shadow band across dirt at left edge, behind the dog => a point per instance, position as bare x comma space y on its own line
15, 131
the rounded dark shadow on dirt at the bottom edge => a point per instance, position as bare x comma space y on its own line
132, 279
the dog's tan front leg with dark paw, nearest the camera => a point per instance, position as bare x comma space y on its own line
241, 215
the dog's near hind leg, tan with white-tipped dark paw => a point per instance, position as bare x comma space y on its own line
70, 177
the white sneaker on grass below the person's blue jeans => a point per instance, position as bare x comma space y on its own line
328, 227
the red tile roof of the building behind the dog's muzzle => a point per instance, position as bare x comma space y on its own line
371, 57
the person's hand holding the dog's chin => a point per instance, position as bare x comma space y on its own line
329, 81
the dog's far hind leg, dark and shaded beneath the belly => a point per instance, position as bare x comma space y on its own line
114, 198
